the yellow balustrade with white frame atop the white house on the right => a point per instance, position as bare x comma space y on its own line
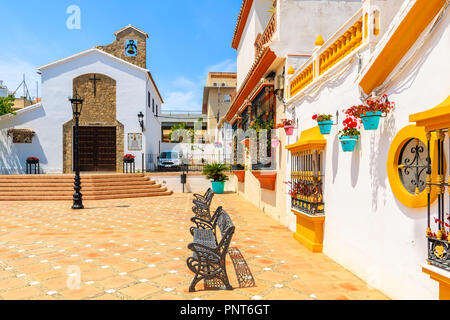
346, 41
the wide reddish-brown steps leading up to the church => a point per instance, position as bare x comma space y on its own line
94, 187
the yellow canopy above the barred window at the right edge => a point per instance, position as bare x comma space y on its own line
435, 118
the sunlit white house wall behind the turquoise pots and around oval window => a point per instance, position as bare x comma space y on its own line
367, 230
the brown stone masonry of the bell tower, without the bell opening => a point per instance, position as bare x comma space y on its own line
117, 48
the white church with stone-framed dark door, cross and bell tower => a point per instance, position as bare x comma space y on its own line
116, 86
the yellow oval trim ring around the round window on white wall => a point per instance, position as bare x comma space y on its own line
400, 192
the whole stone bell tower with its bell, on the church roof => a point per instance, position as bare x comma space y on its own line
130, 45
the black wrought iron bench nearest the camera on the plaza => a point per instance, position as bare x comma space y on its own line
209, 256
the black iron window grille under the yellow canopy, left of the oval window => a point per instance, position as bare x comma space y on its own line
306, 184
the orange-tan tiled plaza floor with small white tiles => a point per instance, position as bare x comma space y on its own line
137, 249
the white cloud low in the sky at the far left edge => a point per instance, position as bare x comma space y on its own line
12, 71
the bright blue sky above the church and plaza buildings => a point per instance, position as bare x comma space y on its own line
188, 38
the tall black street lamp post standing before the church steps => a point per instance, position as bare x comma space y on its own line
77, 105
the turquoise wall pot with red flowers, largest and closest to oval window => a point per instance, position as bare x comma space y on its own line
371, 112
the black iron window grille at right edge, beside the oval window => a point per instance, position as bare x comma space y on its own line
438, 234
